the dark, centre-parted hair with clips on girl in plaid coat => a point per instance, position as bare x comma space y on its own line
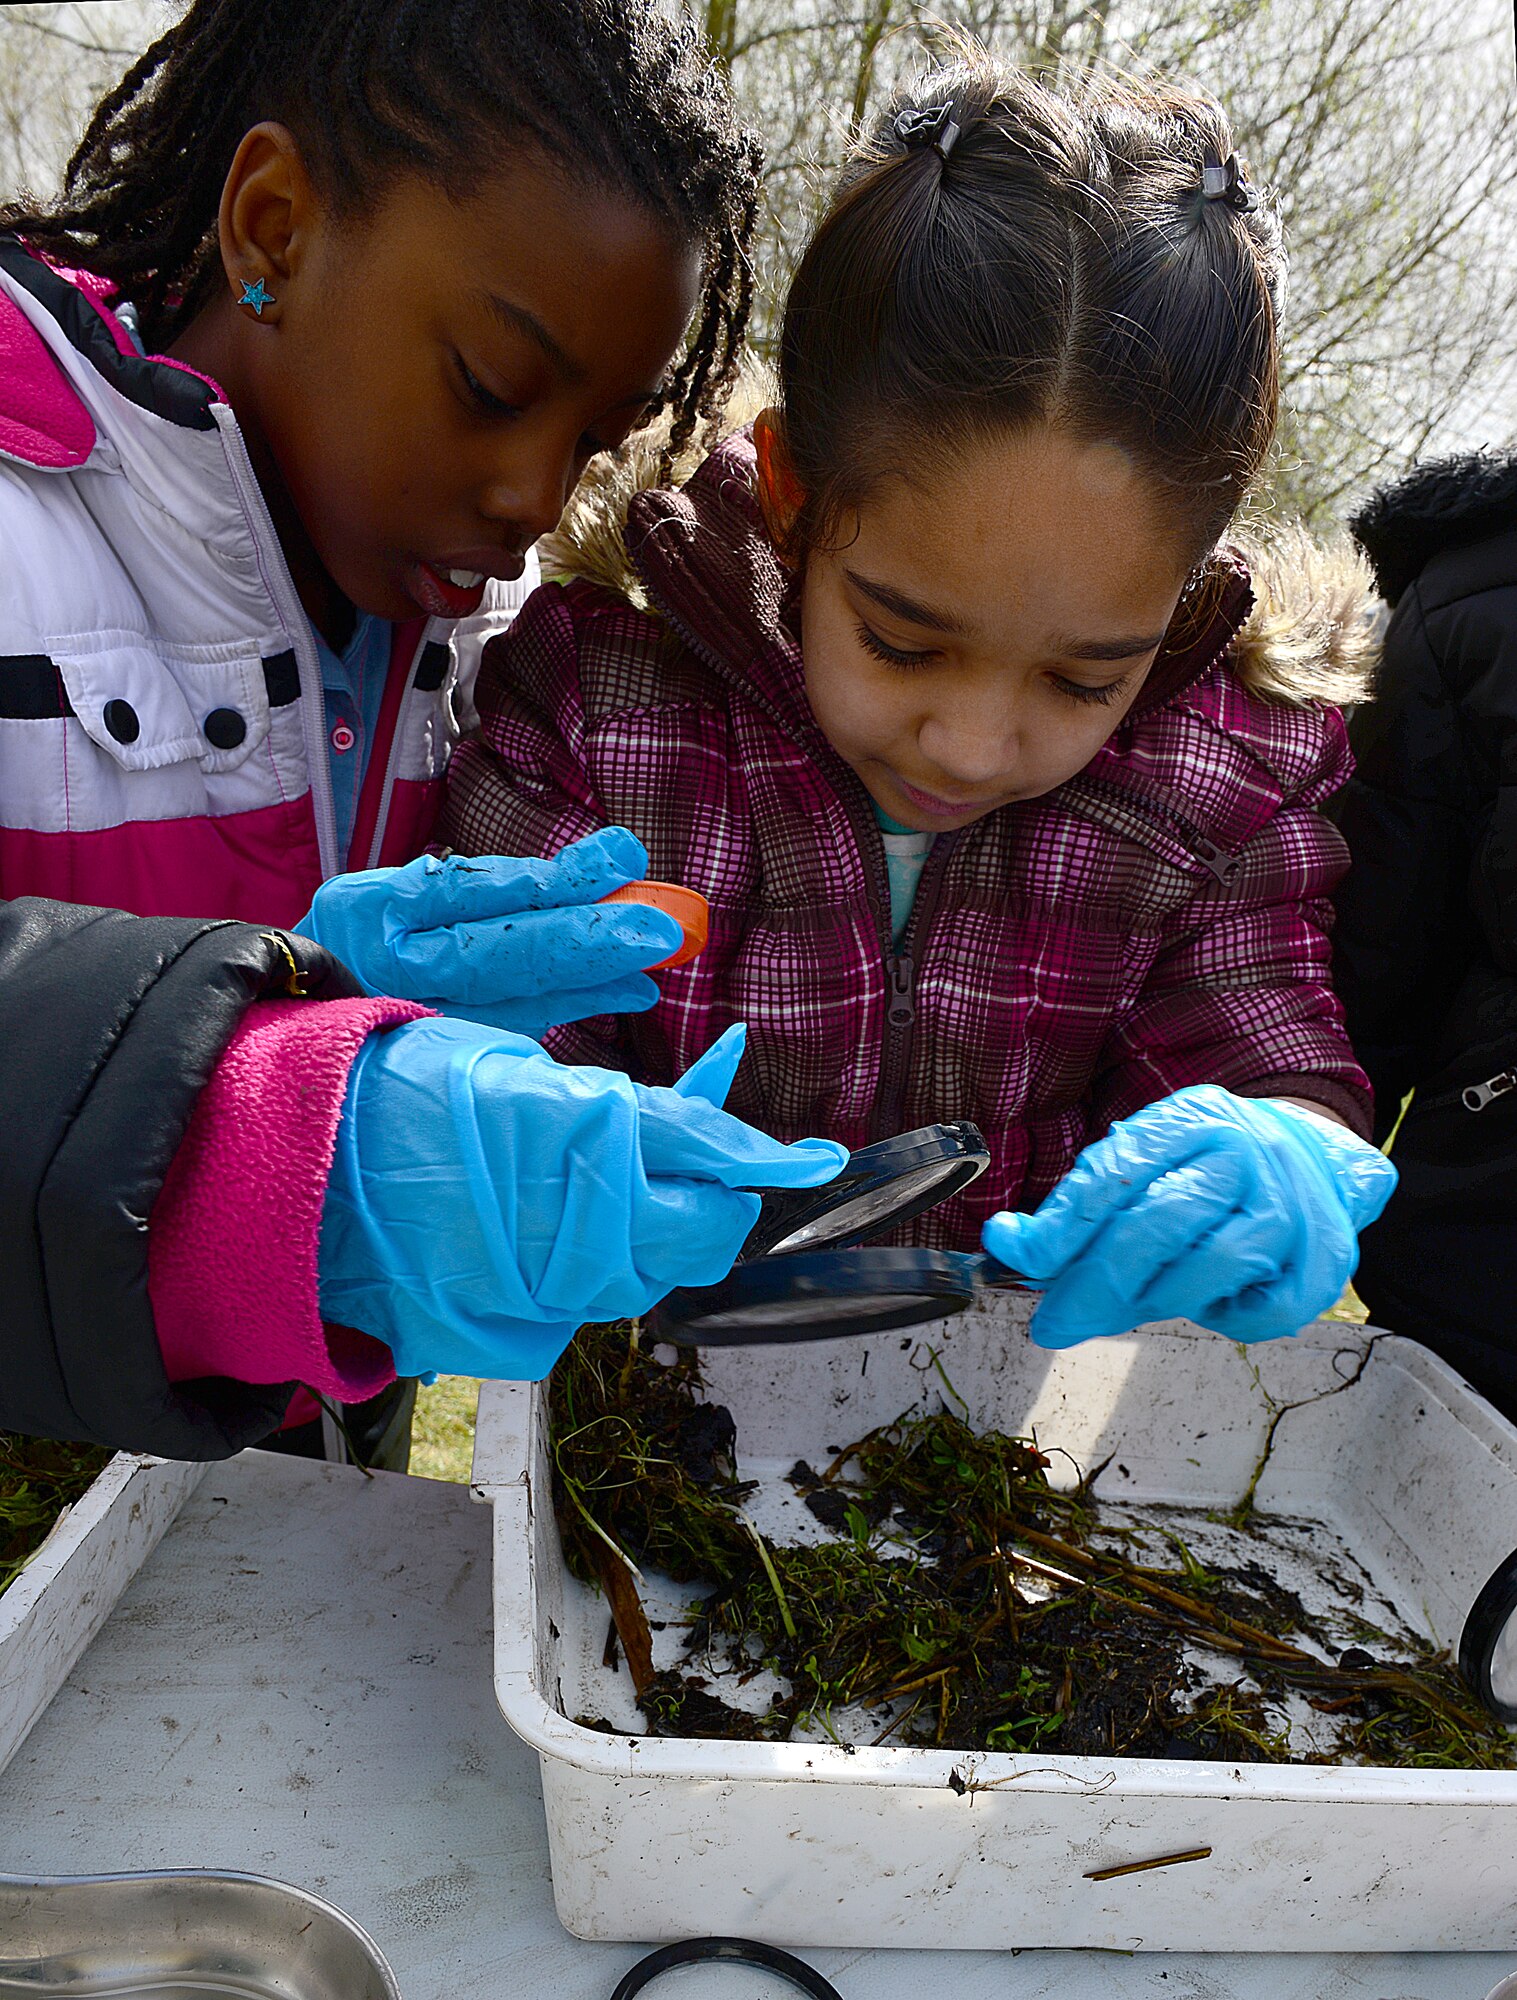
1058, 263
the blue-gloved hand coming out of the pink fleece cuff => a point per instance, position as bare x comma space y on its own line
487, 1201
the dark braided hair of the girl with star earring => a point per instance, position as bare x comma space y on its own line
617, 93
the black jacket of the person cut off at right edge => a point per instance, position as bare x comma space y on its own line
1426, 943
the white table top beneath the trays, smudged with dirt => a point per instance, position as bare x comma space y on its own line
299, 1685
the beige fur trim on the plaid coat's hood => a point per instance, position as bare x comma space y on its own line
1310, 637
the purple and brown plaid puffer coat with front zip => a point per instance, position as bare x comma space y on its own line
1160, 921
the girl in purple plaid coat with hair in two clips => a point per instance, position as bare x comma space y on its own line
954, 691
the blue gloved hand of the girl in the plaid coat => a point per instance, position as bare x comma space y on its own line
1236, 1213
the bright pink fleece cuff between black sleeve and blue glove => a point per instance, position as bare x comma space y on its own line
235, 1231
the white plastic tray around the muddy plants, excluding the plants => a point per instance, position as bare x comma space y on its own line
812, 1845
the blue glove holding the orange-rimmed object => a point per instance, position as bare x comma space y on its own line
517, 945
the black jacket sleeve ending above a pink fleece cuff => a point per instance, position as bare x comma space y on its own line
109, 1029
